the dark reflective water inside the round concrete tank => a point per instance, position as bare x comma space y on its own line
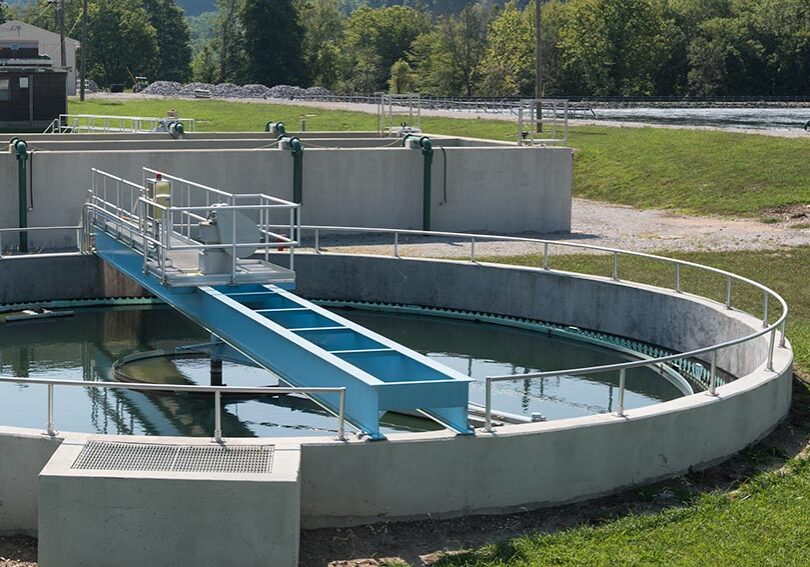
84, 347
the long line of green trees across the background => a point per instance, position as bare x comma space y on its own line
482, 48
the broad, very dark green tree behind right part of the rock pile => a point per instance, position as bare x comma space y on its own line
274, 39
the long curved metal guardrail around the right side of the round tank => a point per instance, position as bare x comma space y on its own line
770, 298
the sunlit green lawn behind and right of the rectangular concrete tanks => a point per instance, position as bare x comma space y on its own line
700, 172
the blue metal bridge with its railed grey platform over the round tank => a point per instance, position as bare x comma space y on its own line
207, 253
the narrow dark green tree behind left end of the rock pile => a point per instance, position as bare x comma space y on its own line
174, 45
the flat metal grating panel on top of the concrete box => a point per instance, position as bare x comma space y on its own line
99, 455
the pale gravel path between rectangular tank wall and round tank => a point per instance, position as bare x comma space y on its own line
611, 226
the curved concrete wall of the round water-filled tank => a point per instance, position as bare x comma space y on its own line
524, 466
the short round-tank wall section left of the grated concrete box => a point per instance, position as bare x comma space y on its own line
23, 453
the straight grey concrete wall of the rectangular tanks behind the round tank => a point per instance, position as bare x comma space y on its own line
498, 189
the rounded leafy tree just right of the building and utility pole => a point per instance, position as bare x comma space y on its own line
121, 41
